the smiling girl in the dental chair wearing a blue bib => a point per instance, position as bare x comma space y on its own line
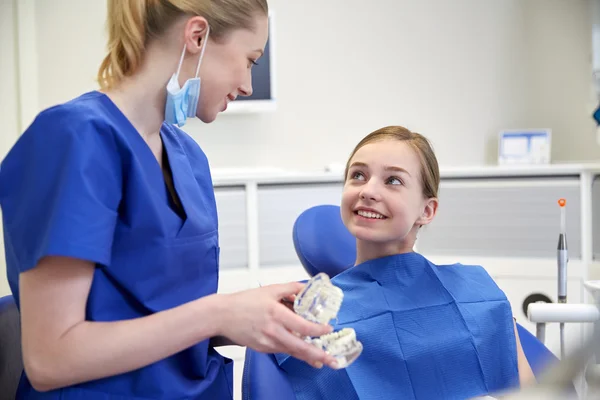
428, 331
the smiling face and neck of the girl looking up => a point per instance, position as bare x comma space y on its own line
382, 203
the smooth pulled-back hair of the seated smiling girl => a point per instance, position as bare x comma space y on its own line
430, 172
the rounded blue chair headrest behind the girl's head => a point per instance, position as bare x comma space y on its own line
322, 242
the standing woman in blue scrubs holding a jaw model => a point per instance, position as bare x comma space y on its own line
110, 221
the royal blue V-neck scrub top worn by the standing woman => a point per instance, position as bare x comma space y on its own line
81, 182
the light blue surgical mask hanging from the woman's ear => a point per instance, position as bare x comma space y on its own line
182, 102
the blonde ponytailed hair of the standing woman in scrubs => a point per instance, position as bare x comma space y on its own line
132, 23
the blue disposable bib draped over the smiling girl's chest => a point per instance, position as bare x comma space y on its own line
428, 331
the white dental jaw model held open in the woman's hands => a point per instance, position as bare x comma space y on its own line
320, 302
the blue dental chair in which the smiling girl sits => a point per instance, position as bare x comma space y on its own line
323, 244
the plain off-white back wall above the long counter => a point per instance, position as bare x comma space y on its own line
457, 71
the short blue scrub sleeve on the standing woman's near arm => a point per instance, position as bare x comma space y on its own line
60, 188
